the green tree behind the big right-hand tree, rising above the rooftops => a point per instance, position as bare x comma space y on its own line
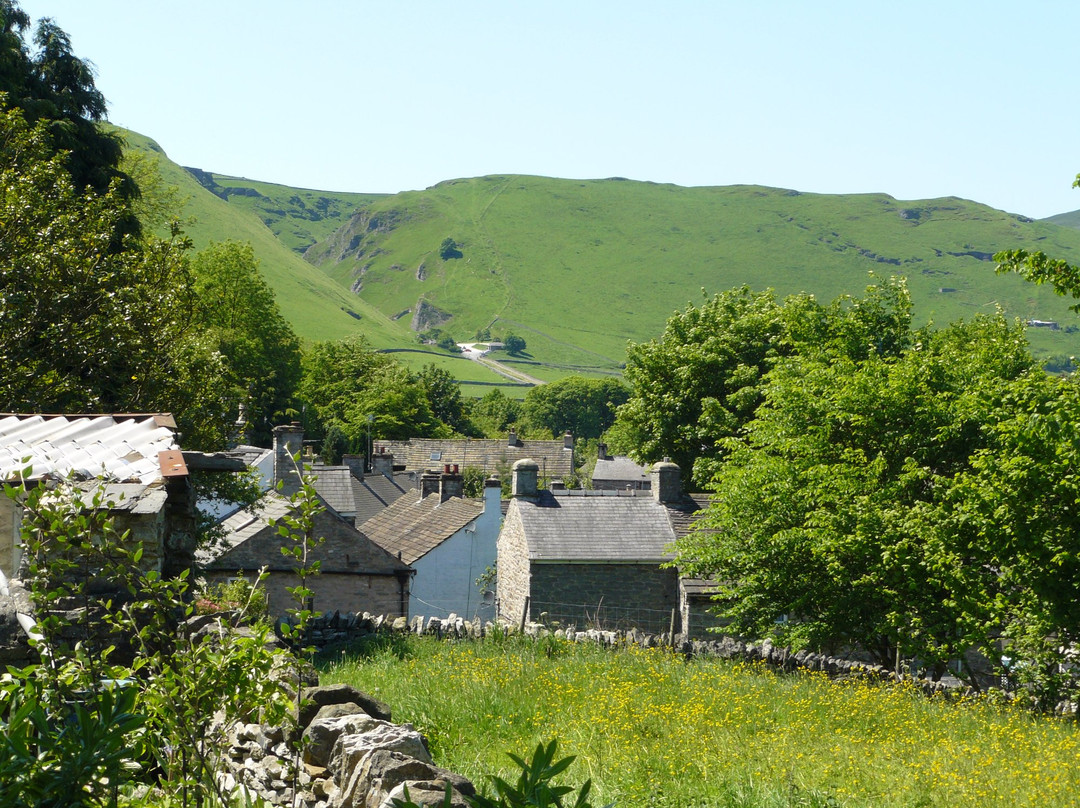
703, 381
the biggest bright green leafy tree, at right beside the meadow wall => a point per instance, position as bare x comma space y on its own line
901, 502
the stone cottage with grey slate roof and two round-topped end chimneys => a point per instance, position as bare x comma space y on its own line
593, 558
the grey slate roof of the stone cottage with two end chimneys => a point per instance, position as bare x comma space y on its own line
602, 528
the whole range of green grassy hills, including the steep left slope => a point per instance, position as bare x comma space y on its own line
580, 267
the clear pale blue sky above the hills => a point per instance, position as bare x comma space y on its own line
916, 100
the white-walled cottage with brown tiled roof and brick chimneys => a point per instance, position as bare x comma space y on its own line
450, 541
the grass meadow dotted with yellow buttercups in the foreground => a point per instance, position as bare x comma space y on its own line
652, 730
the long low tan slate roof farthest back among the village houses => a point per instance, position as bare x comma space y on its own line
418, 454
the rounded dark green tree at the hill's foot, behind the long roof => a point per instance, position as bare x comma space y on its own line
585, 408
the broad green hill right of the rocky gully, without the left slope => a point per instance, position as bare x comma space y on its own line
579, 267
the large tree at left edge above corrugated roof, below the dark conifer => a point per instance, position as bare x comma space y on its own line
85, 327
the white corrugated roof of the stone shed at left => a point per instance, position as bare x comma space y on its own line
125, 449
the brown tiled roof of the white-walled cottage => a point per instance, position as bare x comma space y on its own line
414, 528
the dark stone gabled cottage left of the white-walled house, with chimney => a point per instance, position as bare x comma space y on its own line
356, 574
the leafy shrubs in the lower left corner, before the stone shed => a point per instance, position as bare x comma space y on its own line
83, 730
